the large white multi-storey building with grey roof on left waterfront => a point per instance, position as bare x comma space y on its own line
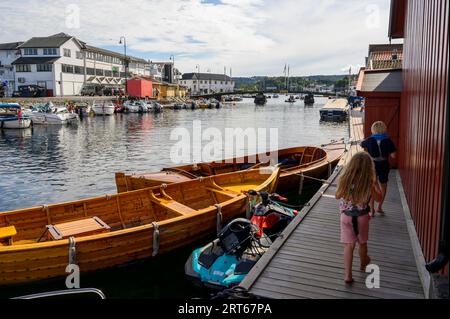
63, 65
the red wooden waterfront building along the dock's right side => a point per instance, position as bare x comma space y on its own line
420, 124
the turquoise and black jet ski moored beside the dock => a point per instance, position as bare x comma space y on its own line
226, 261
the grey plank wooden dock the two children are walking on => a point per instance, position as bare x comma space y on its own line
307, 262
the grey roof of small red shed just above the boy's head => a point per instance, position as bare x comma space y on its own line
385, 81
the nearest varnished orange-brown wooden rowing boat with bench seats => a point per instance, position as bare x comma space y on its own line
177, 214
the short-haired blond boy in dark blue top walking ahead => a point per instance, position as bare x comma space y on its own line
380, 147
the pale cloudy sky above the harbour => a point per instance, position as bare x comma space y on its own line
249, 37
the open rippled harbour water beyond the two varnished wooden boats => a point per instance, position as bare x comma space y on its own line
48, 164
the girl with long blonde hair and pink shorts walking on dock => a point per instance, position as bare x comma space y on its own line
356, 188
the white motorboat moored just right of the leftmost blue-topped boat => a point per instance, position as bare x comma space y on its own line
51, 114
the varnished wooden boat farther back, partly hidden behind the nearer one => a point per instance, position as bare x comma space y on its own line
316, 162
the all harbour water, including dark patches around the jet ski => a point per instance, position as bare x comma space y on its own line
50, 164
